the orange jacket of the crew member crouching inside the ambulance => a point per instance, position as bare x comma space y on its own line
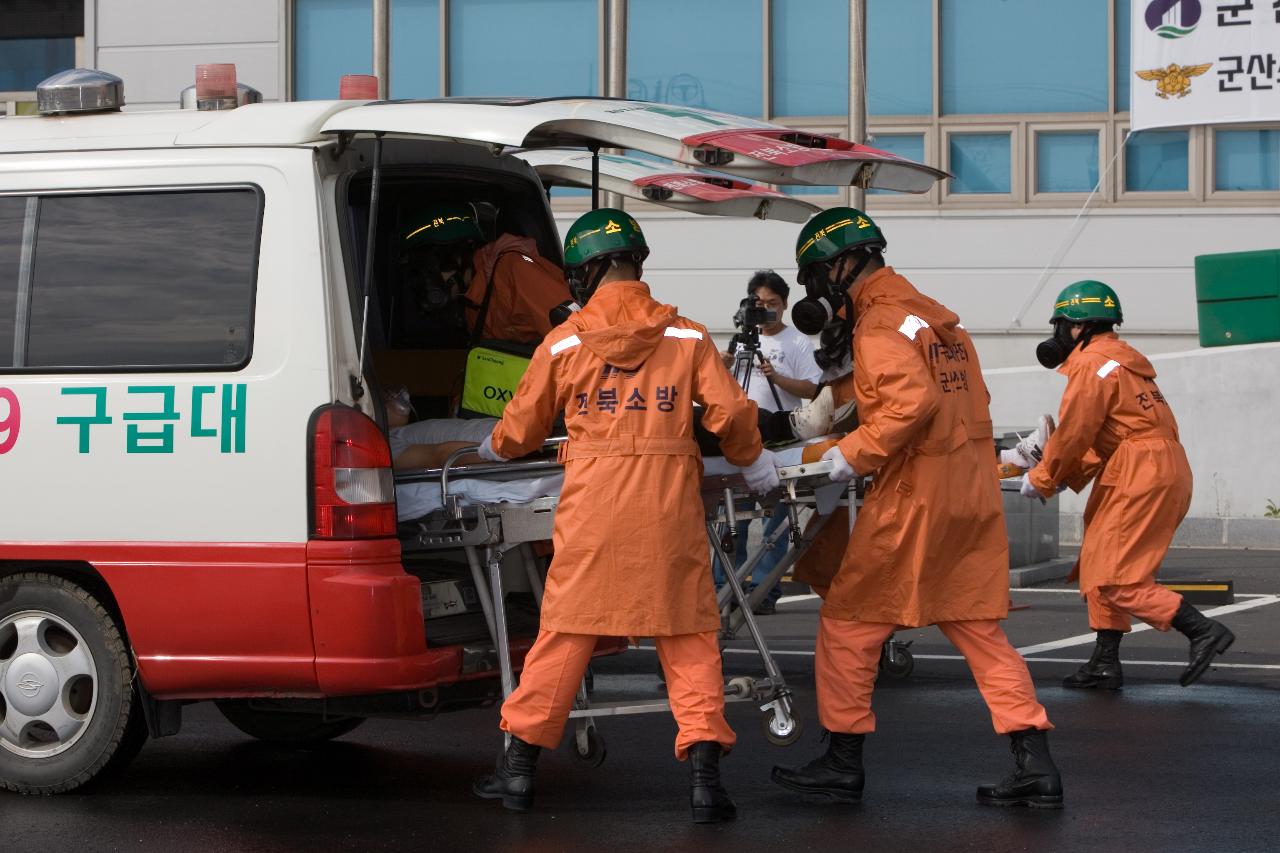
525, 289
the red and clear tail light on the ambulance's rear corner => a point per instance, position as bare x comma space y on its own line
353, 486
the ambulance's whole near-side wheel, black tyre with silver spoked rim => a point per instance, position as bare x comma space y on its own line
68, 709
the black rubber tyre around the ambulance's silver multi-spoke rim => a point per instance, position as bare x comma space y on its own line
113, 731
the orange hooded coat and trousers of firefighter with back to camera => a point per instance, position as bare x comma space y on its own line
632, 555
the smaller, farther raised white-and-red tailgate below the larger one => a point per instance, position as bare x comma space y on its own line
665, 184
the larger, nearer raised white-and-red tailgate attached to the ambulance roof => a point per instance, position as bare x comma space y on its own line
693, 138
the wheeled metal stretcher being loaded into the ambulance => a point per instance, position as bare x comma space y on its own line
490, 530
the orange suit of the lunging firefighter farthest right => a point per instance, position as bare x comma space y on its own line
1116, 428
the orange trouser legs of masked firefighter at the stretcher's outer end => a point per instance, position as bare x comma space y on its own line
848, 656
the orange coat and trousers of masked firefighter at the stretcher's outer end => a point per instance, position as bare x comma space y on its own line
929, 545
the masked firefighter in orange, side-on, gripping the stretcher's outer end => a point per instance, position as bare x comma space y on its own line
929, 548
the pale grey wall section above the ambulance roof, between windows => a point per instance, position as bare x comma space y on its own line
156, 45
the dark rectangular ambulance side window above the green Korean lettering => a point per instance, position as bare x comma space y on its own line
144, 280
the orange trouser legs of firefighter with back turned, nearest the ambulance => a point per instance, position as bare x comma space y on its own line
540, 708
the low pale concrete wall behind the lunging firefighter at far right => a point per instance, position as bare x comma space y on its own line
1226, 400
